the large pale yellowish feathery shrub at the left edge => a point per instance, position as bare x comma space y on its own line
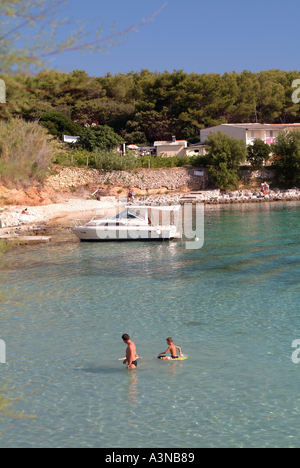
26, 150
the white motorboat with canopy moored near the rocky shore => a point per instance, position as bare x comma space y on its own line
134, 223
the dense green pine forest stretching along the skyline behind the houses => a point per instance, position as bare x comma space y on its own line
143, 106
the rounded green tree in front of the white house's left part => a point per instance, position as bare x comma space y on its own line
225, 154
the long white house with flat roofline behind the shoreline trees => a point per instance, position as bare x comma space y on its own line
249, 131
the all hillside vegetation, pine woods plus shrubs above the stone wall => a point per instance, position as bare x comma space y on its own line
141, 108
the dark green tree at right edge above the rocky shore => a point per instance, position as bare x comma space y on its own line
287, 158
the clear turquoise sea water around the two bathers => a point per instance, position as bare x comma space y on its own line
232, 306
